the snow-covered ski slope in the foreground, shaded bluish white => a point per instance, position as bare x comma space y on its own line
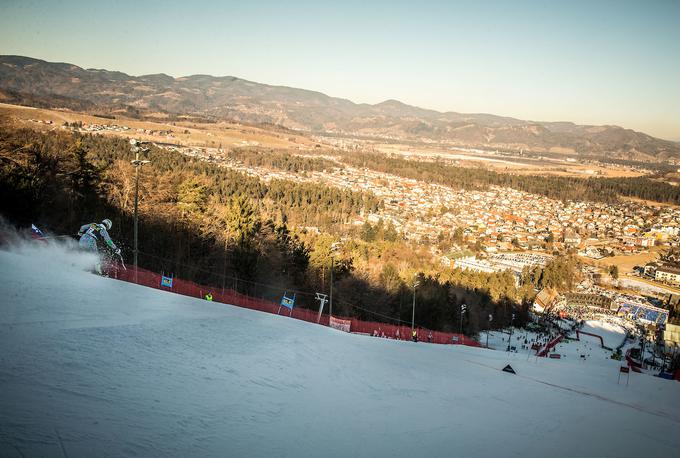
92, 366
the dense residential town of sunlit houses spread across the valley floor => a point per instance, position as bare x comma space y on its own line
502, 219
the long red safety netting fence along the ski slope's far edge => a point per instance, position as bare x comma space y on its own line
228, 296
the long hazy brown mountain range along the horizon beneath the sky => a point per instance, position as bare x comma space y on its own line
36, 82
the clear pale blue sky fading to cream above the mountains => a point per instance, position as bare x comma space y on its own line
596, 62
